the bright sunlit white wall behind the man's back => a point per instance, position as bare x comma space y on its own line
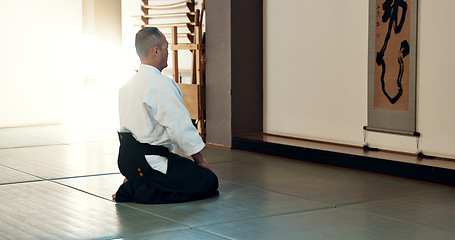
60, 61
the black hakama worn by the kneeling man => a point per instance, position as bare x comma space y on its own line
184, 180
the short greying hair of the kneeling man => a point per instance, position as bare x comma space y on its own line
146, 39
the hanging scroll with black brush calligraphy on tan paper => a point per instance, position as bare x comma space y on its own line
392, 66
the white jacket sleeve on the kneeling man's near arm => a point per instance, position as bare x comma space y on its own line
164, 102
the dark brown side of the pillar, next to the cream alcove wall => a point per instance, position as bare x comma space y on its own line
247, 66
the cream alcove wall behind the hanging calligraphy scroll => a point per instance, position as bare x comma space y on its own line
315, 69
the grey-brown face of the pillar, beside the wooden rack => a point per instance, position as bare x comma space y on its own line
218, 78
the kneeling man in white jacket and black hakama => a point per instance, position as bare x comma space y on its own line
153, 120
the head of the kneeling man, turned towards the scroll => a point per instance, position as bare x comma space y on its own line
151, 46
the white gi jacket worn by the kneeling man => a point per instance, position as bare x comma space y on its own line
151, 108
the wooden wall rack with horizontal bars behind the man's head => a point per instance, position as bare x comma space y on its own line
194, 93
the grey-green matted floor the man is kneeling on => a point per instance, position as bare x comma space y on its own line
56, 182
